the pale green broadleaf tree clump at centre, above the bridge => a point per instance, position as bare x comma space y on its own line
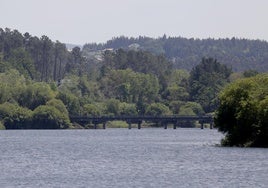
128, 86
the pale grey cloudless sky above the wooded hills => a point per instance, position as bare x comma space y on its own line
87, 21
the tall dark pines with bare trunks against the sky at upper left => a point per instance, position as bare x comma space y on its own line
36, 58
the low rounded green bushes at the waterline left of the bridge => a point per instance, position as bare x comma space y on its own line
53, 115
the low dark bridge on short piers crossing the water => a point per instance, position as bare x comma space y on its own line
164, 120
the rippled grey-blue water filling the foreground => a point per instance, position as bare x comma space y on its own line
125, 158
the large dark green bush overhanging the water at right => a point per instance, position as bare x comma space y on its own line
242, 113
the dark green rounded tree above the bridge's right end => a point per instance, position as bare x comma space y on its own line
205, 82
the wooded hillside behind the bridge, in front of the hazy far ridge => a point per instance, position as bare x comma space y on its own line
43, 84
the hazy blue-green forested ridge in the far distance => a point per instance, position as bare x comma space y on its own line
239, 54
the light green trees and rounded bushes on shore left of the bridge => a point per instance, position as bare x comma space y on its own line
28, 104
